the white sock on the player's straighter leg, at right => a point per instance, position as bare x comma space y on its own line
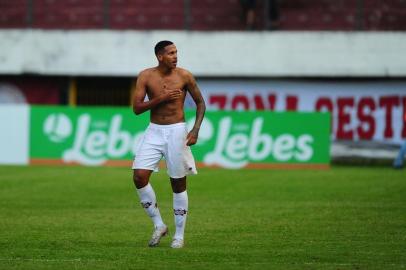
180, 209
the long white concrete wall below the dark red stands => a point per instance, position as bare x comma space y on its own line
260, 54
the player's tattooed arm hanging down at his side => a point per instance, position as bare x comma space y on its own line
197, 97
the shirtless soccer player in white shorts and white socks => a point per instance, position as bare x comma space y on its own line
166, 136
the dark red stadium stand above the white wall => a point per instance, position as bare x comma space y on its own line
337, 15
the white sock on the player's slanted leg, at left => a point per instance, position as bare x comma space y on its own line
148, 202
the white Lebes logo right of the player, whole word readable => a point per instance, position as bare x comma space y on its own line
238, 144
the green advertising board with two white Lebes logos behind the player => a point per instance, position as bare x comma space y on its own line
228, 140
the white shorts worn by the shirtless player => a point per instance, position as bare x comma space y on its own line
168, 141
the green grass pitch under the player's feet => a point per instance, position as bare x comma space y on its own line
90, 218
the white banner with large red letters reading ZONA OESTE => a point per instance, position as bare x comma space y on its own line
360, 111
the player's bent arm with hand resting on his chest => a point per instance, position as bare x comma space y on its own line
139, 103
